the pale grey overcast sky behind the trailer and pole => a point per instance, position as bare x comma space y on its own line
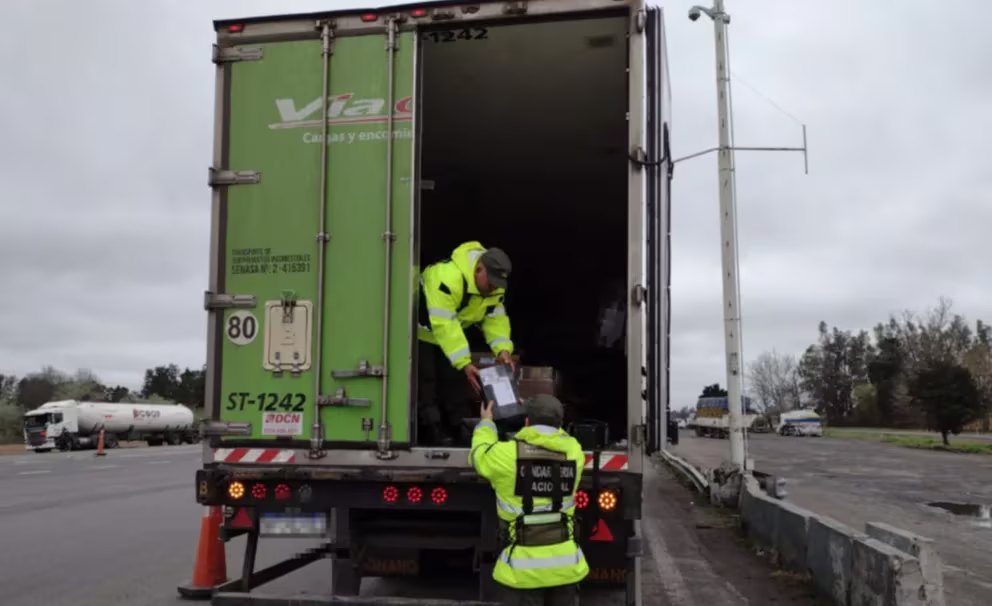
106, 135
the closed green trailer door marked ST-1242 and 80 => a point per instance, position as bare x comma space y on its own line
299, 345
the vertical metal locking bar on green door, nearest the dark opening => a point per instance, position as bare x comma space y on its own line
388, 237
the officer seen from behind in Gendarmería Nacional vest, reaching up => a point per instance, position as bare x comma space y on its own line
535, 477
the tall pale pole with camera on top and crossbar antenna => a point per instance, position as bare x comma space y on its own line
728, 227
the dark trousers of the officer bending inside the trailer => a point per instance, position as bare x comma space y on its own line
443, 397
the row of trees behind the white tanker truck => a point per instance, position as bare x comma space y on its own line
165, 384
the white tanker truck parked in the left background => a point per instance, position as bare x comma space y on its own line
74, 425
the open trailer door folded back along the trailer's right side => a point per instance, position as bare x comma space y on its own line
658, 189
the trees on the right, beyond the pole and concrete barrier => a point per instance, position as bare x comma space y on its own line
928, 371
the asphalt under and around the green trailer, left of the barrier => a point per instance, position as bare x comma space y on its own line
80, 530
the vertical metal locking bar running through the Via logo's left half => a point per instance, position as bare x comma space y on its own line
317, 430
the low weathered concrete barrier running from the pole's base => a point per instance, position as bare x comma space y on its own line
885, 566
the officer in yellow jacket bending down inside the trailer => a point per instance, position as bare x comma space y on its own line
464, 290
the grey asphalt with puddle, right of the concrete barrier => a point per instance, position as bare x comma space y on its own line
859, 481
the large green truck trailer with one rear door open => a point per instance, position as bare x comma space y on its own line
353, 148
